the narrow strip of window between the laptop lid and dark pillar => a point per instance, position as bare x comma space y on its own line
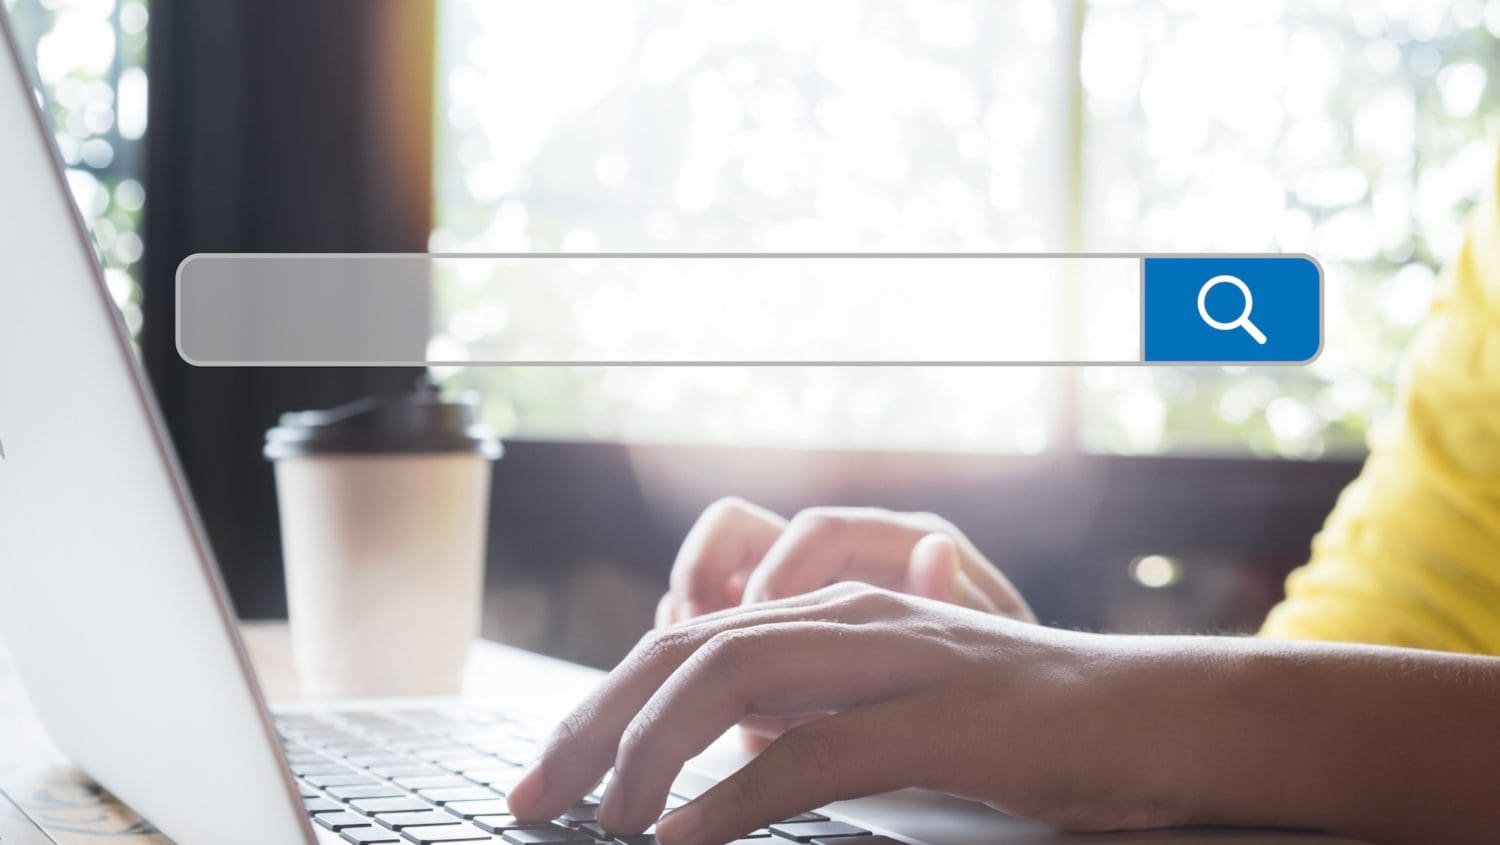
91, 59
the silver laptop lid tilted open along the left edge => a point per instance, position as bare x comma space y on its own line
110, 603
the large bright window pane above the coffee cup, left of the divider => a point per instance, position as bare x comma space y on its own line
769, 128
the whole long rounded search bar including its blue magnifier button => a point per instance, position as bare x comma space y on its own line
590, 310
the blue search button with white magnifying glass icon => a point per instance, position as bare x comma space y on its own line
1232, 310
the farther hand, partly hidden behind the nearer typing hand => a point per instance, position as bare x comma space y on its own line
739, 553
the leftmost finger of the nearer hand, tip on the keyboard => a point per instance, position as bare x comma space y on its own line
584, 744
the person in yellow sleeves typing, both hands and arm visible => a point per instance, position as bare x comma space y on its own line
884, 651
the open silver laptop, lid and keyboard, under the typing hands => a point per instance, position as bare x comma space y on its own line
118, 622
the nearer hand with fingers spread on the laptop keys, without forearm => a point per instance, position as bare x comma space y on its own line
920, 694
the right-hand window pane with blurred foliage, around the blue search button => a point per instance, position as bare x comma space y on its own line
1360, 133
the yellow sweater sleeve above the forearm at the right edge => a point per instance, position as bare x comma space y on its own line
1411, 555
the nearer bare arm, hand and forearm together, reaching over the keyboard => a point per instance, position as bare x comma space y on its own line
1079, 730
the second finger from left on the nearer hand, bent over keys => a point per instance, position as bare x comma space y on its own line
782, 670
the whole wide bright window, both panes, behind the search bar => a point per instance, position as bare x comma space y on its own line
1358, 133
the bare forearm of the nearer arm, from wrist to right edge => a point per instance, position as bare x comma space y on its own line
1393, 747
